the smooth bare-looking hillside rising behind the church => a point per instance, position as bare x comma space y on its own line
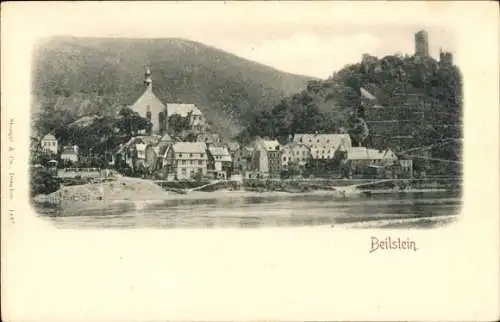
84, 76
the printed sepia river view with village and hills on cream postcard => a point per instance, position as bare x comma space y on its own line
361, 127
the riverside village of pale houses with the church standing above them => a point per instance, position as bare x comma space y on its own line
160, 155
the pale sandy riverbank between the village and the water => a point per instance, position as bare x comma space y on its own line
126, 194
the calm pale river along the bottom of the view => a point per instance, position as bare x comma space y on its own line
275, 211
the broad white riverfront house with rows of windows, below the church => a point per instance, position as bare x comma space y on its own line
184, 160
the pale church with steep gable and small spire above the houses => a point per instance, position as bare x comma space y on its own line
148, 105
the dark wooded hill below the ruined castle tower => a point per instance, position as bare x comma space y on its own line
334, 105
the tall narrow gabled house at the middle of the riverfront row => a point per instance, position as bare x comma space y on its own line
266, 157
